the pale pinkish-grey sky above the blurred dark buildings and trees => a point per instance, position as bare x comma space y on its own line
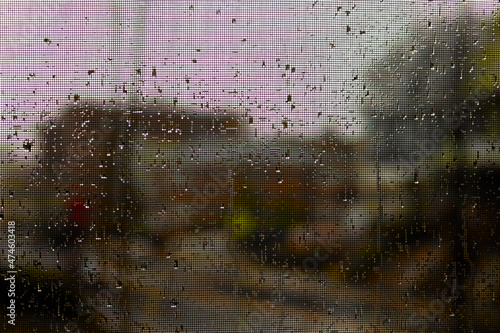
228, 51
